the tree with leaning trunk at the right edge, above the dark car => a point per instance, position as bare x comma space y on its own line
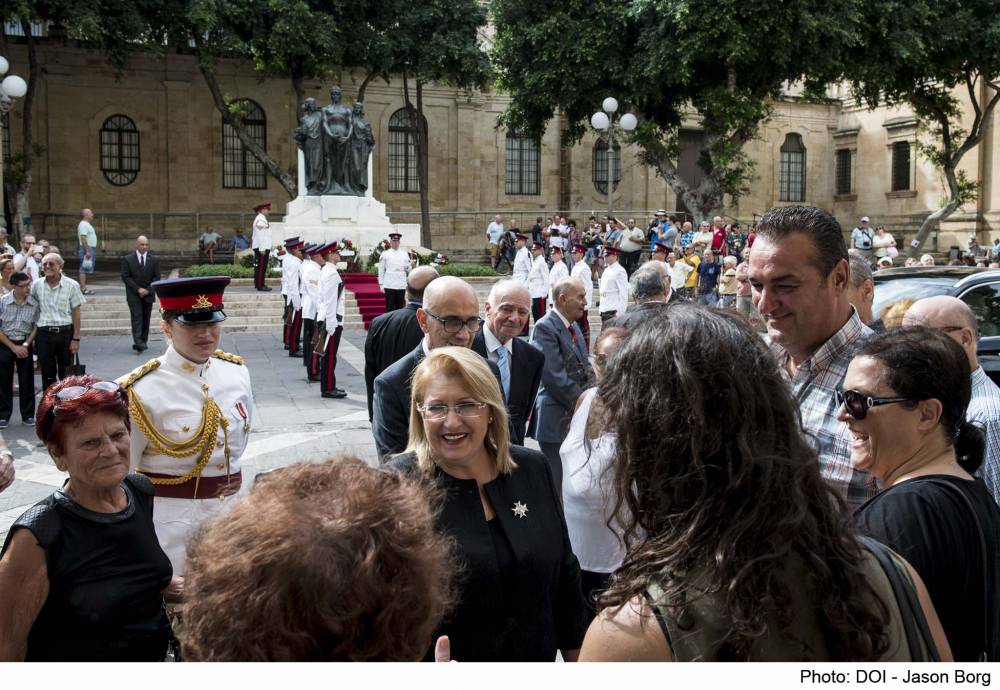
928, 55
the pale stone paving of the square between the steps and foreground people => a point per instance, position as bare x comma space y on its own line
293, 423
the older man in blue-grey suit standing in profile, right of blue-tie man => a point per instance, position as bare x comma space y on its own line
566, 372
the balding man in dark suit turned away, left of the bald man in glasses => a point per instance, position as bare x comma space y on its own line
393, 335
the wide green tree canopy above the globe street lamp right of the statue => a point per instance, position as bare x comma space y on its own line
715, 64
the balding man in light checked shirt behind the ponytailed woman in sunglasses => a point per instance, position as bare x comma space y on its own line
954, 317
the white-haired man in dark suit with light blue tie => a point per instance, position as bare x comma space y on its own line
507, 310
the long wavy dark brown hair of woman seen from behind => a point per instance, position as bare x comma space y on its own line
729, 493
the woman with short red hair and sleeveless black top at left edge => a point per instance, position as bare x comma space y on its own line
81, 572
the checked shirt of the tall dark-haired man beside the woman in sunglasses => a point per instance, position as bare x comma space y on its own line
813, 386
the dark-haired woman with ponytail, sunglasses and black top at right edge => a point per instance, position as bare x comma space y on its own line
904, 399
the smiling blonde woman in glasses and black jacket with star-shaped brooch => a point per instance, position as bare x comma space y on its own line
519, 584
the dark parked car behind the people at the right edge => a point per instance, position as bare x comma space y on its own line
977, 287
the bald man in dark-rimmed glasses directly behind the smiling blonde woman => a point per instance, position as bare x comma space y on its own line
449, 316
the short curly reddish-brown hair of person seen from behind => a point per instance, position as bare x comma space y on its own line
335, 561
